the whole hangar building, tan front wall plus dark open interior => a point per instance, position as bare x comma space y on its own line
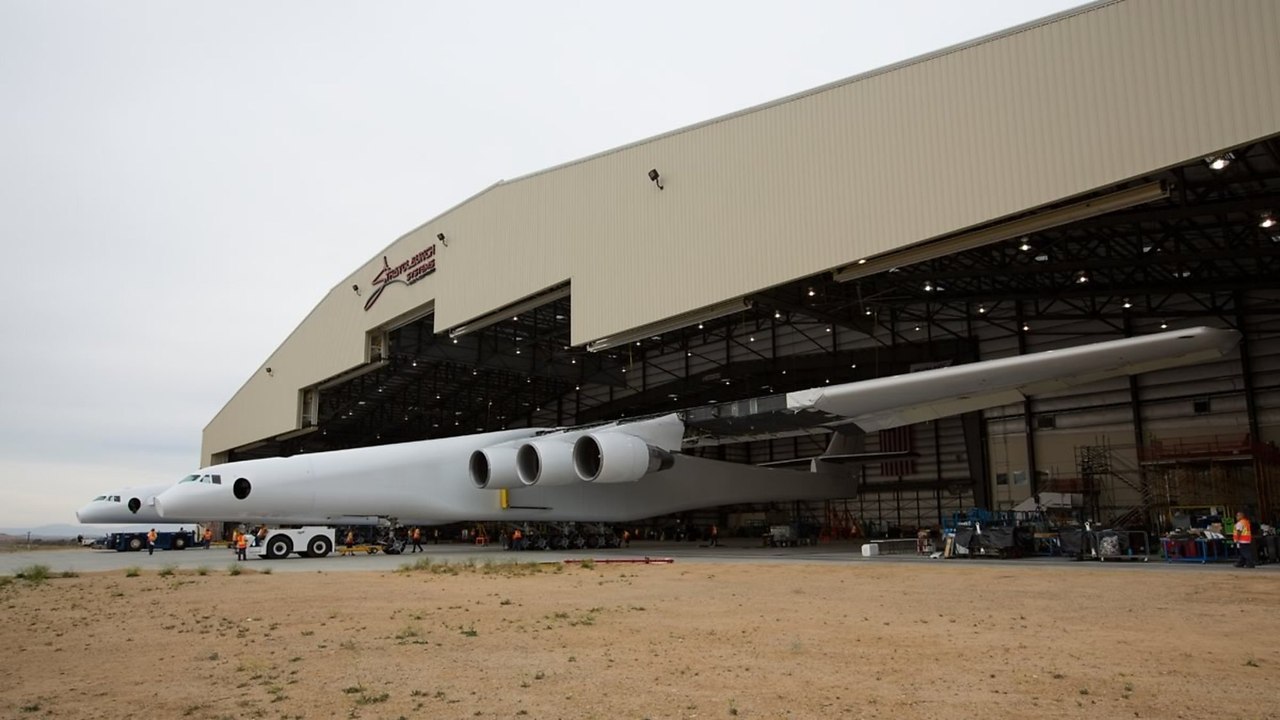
1107, 172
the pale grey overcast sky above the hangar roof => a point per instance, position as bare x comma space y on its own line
182, 183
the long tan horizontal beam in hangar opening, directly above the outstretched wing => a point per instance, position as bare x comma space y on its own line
1030, 225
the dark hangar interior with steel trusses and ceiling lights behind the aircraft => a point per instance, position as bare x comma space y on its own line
1192, 244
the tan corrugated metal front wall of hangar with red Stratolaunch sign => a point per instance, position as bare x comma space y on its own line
925, 149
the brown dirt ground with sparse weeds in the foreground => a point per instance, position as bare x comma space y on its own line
865, 640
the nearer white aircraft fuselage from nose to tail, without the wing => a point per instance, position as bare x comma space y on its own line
426, 482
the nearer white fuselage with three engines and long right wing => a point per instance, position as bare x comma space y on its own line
629, 471
